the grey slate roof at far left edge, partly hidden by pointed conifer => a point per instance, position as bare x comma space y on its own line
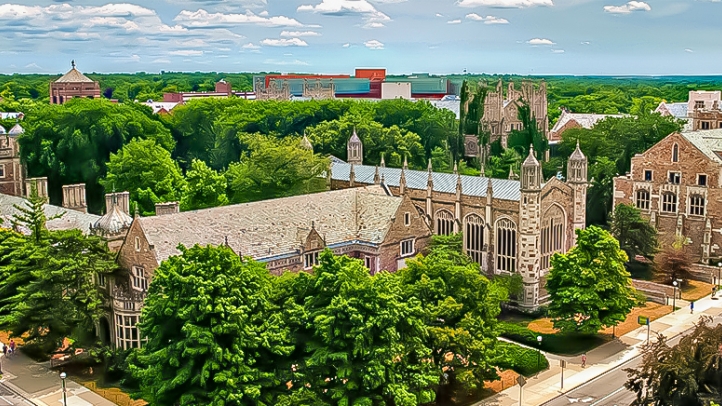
72, 219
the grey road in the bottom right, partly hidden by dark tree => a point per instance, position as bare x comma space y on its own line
608, 389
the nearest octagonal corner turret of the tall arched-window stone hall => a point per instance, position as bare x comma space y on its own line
529, 230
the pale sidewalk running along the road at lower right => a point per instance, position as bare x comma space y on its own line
547, 385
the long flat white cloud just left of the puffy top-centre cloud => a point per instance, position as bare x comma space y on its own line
202, 18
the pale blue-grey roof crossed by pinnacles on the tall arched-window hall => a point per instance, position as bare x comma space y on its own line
443, 182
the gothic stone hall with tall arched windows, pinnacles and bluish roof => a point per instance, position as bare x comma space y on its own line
509, 226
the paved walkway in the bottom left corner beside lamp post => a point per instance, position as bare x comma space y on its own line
42, 386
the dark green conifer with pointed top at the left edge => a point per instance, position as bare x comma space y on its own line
48, 280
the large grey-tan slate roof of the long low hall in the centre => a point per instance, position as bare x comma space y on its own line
272, 228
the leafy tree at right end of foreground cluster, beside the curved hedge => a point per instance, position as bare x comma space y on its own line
460, 311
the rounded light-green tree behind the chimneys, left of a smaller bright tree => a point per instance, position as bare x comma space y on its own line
147, 171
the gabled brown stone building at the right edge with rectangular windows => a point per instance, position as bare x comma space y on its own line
677, 184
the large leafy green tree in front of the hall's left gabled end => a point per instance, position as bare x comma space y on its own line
212, 334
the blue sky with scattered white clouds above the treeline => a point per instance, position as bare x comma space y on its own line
527, 37
